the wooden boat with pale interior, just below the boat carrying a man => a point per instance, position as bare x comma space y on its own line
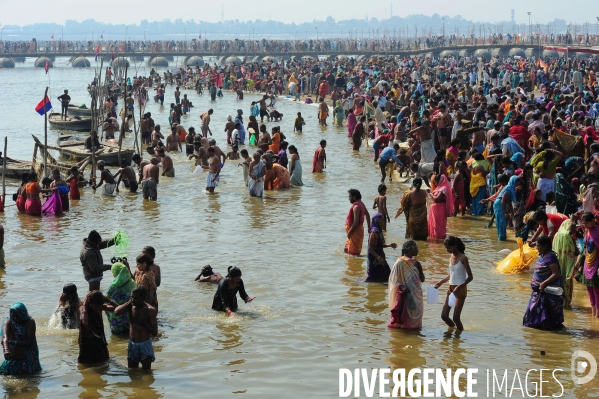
73, 148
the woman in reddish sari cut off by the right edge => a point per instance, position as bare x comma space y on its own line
590, 273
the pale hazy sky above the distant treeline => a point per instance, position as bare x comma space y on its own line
132, 11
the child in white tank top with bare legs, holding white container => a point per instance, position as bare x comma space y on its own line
459, 277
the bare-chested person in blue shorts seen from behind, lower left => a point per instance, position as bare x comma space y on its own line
143, 326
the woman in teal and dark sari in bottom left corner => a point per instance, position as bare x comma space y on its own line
21, 354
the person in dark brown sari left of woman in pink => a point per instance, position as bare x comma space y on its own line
413, 204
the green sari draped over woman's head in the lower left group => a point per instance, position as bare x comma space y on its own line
120, 292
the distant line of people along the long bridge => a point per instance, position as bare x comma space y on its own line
383, 44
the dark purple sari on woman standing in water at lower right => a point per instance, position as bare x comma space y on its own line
545, 311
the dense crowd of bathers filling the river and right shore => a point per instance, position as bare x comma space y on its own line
507, 137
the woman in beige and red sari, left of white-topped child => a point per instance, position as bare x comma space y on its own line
405, 289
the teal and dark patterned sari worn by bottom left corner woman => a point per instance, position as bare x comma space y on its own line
31, 363
